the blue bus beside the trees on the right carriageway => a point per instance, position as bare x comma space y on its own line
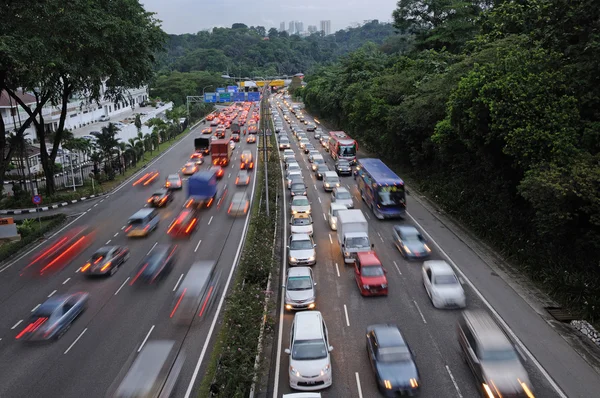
380, 188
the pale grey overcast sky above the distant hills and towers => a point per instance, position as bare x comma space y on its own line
191, 16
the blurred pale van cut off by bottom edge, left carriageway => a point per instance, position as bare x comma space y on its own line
155, 371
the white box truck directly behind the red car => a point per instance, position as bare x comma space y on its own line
353, 234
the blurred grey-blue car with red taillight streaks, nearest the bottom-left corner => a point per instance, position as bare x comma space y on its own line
54, 317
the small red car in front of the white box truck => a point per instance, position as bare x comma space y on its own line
369, 274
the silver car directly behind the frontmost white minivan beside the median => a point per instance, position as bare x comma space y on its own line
300, 289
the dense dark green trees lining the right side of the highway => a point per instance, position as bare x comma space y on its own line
495, 111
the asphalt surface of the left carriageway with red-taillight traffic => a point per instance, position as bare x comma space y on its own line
101, 344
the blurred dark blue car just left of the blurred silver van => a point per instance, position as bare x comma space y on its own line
156, 265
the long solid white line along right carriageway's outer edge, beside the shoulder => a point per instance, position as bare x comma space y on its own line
512, 334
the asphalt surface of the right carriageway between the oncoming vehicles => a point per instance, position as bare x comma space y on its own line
555, 369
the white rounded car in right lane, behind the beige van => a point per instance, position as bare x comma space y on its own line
442, 285
